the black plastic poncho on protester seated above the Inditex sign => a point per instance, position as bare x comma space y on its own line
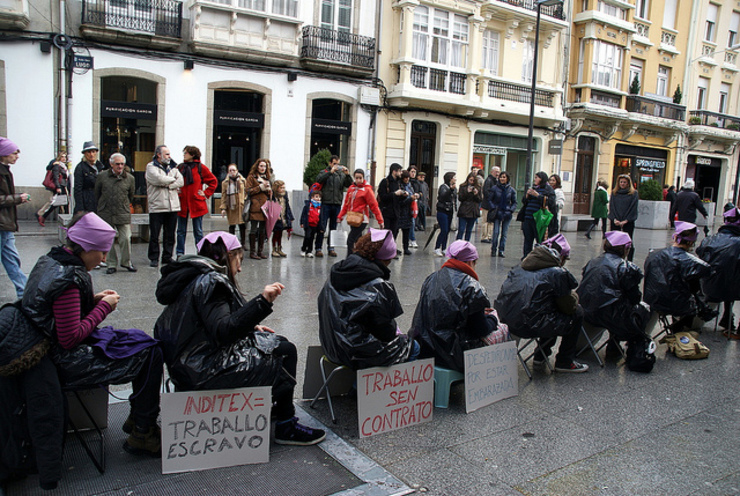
207, 331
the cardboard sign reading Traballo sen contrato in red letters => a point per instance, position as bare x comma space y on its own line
390, 398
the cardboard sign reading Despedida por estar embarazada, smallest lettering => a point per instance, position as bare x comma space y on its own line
491, 374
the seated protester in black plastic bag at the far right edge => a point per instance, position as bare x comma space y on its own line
722, 252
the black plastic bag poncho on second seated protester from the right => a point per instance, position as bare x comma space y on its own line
672, 278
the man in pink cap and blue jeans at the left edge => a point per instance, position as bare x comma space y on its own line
9, 153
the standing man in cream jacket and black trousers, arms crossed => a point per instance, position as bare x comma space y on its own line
163, 182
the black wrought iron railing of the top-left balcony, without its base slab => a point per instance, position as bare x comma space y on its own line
160, 17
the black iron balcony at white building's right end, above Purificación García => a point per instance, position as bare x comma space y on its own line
337, 51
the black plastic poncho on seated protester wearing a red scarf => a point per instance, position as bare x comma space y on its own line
448, 298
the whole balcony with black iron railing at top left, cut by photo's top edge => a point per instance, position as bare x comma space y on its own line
149, 23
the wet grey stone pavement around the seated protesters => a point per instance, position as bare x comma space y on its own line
607, 432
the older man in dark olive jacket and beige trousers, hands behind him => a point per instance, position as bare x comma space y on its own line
114, 192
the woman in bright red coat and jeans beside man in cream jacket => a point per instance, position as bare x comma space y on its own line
200, 184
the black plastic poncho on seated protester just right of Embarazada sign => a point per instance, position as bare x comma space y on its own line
528, 300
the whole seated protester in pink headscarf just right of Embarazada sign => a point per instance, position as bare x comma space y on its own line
538, 300
